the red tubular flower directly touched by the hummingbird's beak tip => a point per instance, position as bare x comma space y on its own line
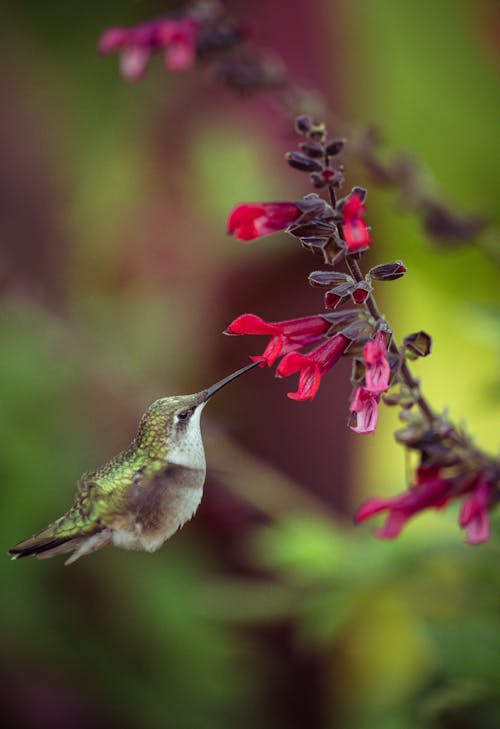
286, 336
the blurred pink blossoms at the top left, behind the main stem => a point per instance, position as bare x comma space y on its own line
176, 37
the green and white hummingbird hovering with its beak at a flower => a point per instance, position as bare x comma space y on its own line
142, 496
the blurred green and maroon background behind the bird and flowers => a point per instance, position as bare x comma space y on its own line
269, 610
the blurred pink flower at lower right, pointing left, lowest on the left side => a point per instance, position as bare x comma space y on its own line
430, 491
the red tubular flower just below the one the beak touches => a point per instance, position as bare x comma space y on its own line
312, 366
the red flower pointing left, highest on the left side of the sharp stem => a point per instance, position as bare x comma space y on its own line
249, 221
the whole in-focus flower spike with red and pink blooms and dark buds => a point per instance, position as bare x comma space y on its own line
450, 467
